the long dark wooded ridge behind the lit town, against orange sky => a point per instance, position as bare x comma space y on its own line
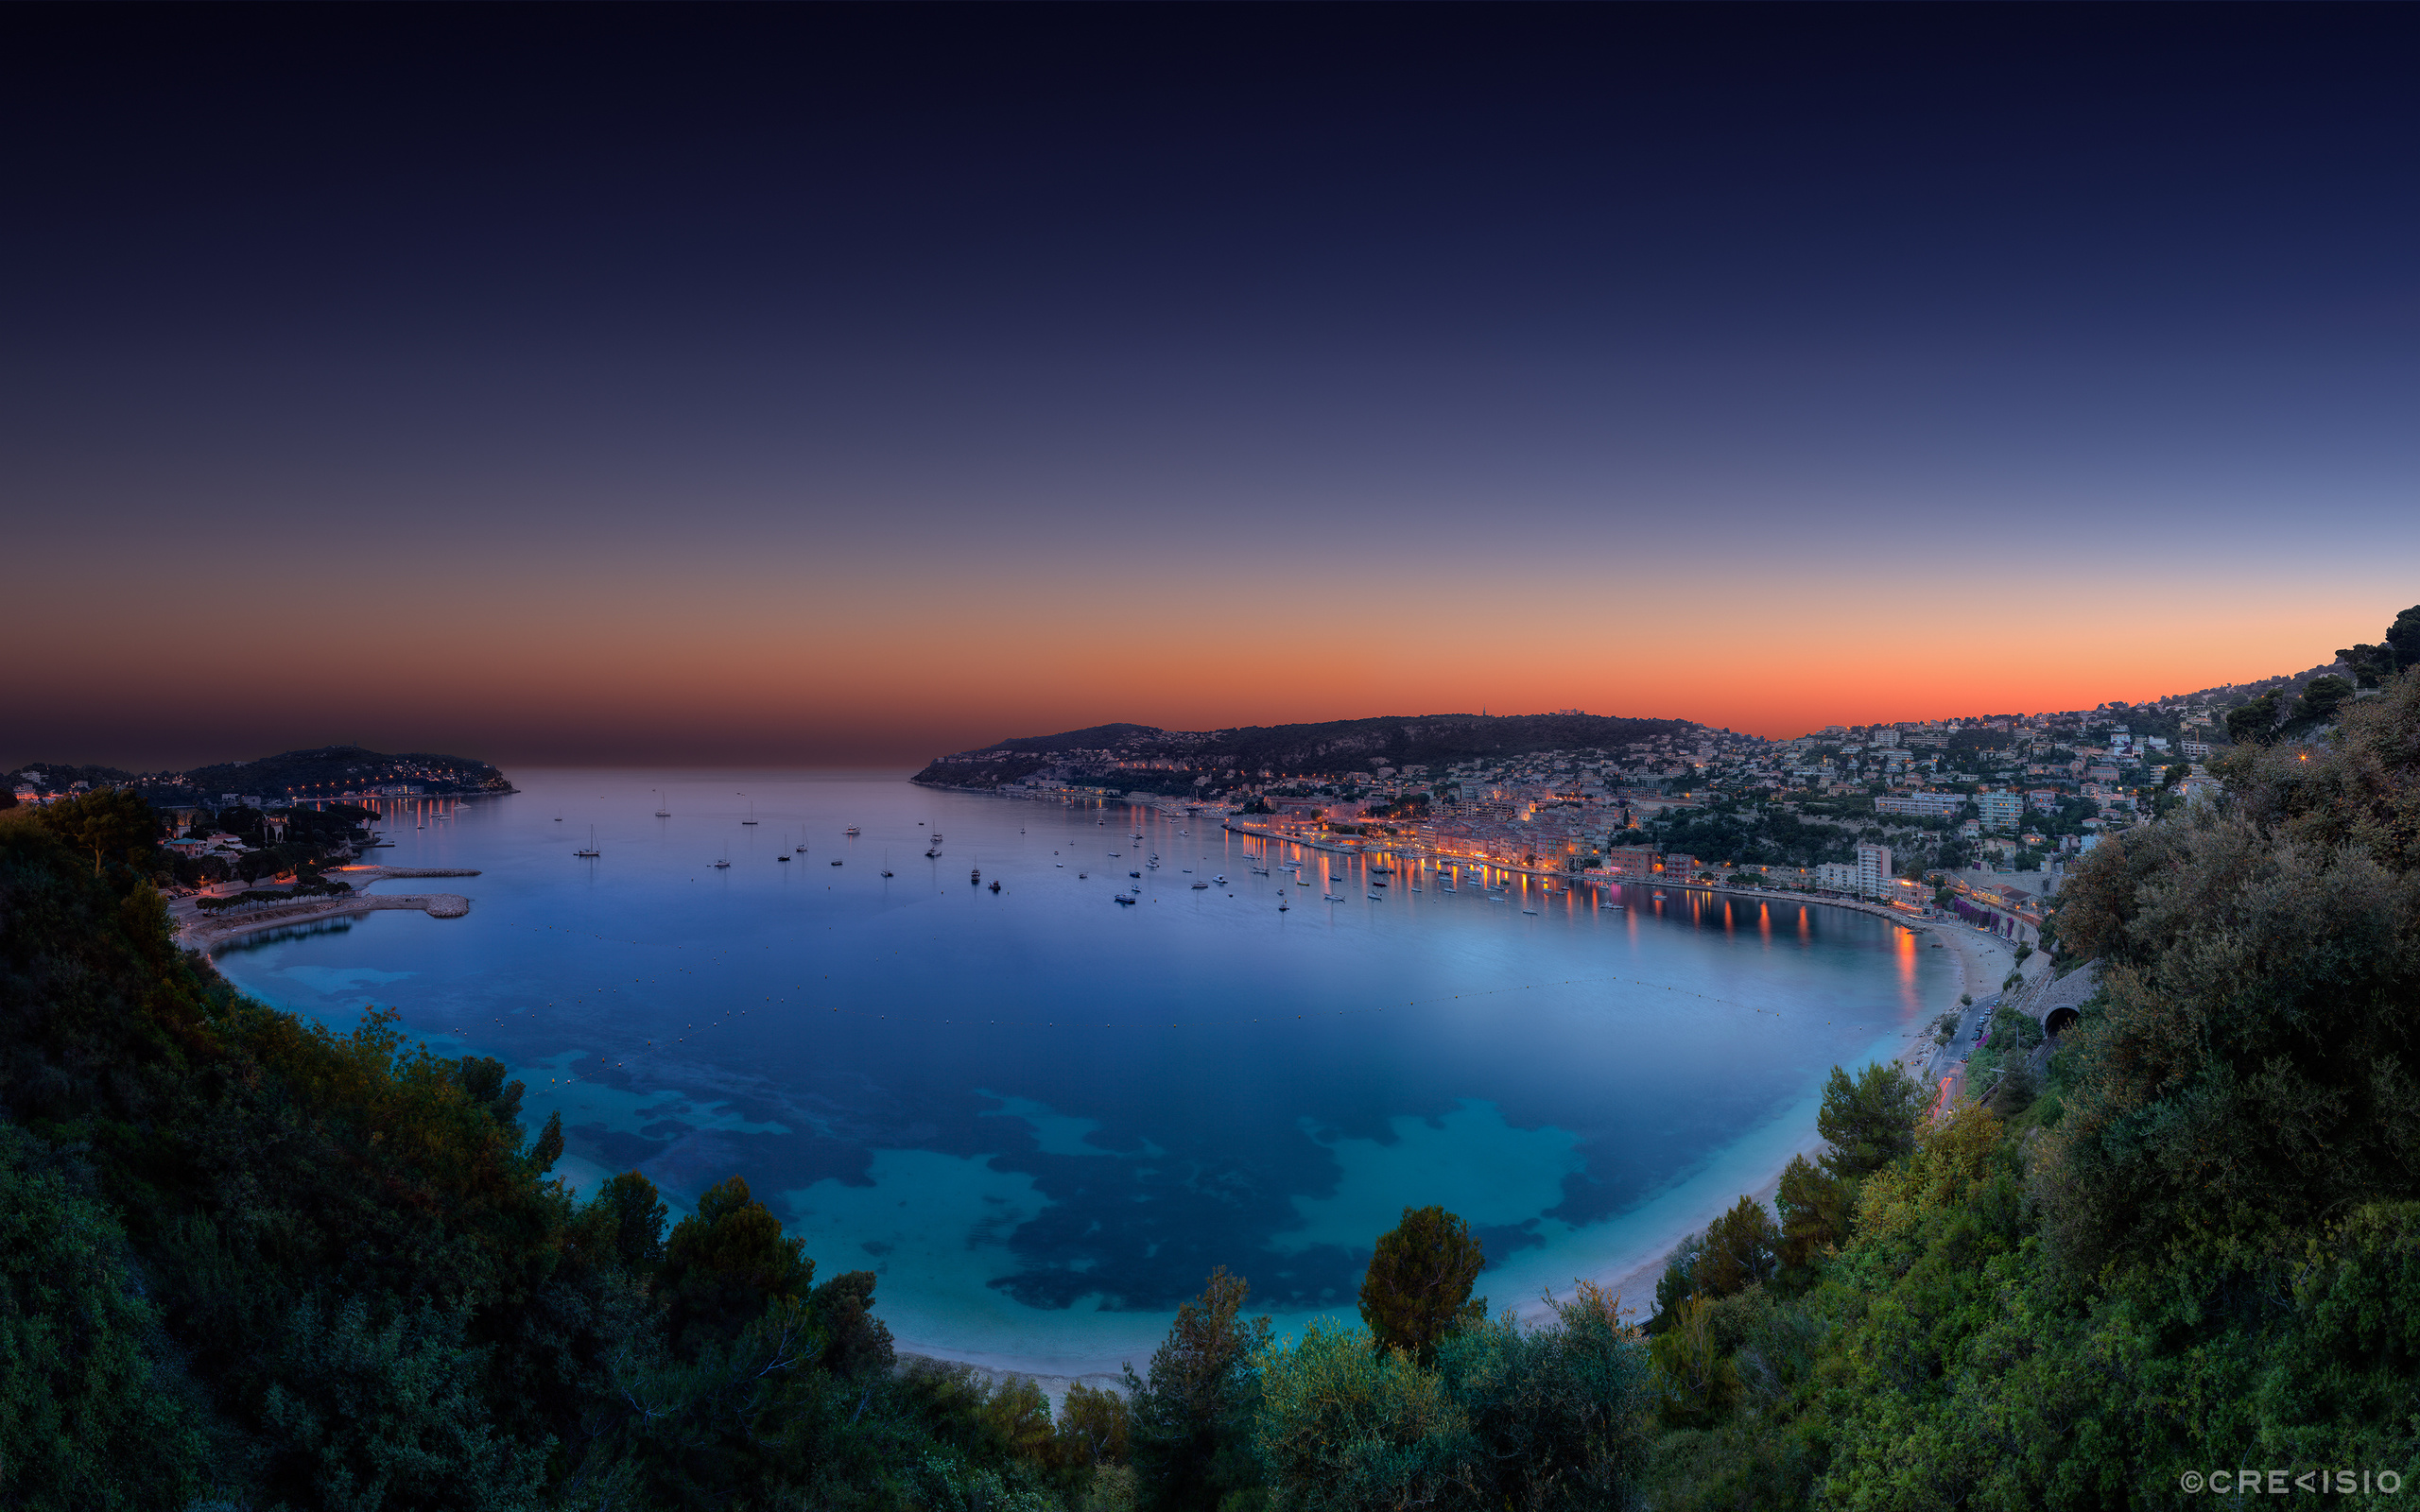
1296, 749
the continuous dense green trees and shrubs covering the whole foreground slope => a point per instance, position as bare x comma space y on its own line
255, 1264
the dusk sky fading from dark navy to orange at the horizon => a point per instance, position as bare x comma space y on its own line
843, 386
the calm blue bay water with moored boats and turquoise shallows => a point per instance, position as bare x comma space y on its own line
1044, 1116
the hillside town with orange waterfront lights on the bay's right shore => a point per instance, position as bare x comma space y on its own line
1969, 816
